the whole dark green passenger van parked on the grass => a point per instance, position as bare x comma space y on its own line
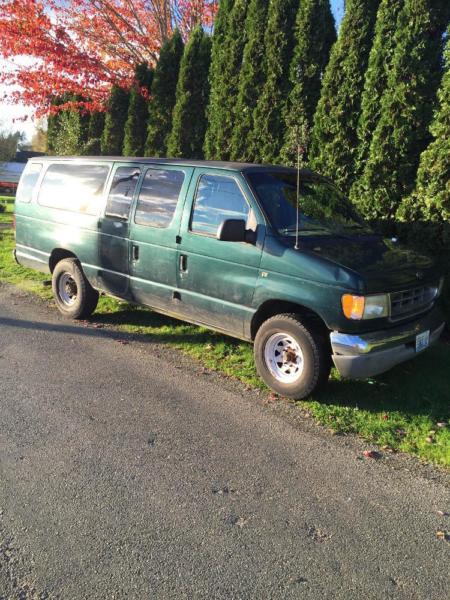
228, 246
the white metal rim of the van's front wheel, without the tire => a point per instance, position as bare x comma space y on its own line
284, 357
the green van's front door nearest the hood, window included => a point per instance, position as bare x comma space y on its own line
217, 279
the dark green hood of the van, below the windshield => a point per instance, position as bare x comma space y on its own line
384, 265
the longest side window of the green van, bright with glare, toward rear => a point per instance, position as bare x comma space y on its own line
74, 187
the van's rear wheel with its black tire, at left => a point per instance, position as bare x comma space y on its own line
74, 295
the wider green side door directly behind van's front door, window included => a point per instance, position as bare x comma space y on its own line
154, 235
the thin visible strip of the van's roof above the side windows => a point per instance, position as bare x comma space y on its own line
216, 164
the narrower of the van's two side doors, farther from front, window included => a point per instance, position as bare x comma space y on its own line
114, 231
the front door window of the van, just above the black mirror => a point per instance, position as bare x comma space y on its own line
217, 198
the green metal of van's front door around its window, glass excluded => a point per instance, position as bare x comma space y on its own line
217, 279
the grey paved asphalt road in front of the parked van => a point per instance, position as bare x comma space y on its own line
126, 473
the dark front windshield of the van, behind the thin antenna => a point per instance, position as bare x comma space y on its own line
324, 210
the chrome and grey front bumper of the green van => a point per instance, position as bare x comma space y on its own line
368, 354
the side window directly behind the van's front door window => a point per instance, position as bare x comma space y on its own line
158, 197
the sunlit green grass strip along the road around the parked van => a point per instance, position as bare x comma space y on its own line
407, 409
